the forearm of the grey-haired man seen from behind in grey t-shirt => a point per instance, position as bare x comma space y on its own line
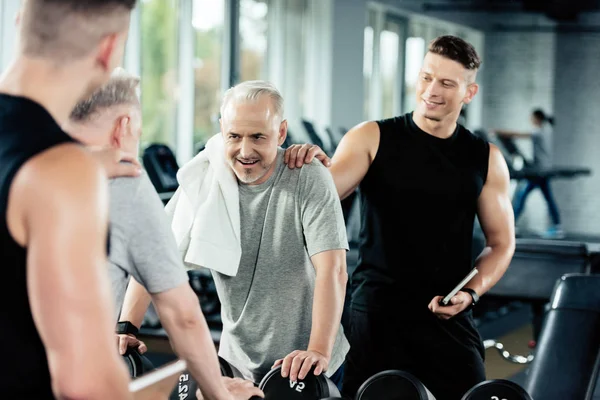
190, 337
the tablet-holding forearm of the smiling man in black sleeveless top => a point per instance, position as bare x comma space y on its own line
492, 263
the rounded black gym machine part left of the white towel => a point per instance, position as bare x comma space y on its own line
161, 165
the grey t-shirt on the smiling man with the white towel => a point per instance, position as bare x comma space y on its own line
267, 307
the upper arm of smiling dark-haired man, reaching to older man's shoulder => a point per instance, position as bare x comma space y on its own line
353, 157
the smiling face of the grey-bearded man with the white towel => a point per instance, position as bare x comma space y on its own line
252, 132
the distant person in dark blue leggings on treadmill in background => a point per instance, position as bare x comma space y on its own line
541, 135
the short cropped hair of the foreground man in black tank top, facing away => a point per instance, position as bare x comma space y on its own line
68, 29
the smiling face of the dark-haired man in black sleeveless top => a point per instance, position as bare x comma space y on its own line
443, 87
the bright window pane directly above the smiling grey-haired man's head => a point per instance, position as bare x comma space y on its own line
253, 36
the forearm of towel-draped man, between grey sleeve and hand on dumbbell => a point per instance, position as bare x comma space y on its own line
328, 303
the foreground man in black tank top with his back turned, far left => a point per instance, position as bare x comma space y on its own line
57, 335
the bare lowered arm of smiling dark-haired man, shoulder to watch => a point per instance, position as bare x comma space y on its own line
496, 217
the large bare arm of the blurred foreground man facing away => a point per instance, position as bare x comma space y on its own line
65, 236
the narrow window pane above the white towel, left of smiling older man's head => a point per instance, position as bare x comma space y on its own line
208, 22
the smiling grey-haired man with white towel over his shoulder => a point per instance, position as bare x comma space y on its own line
283, 304
